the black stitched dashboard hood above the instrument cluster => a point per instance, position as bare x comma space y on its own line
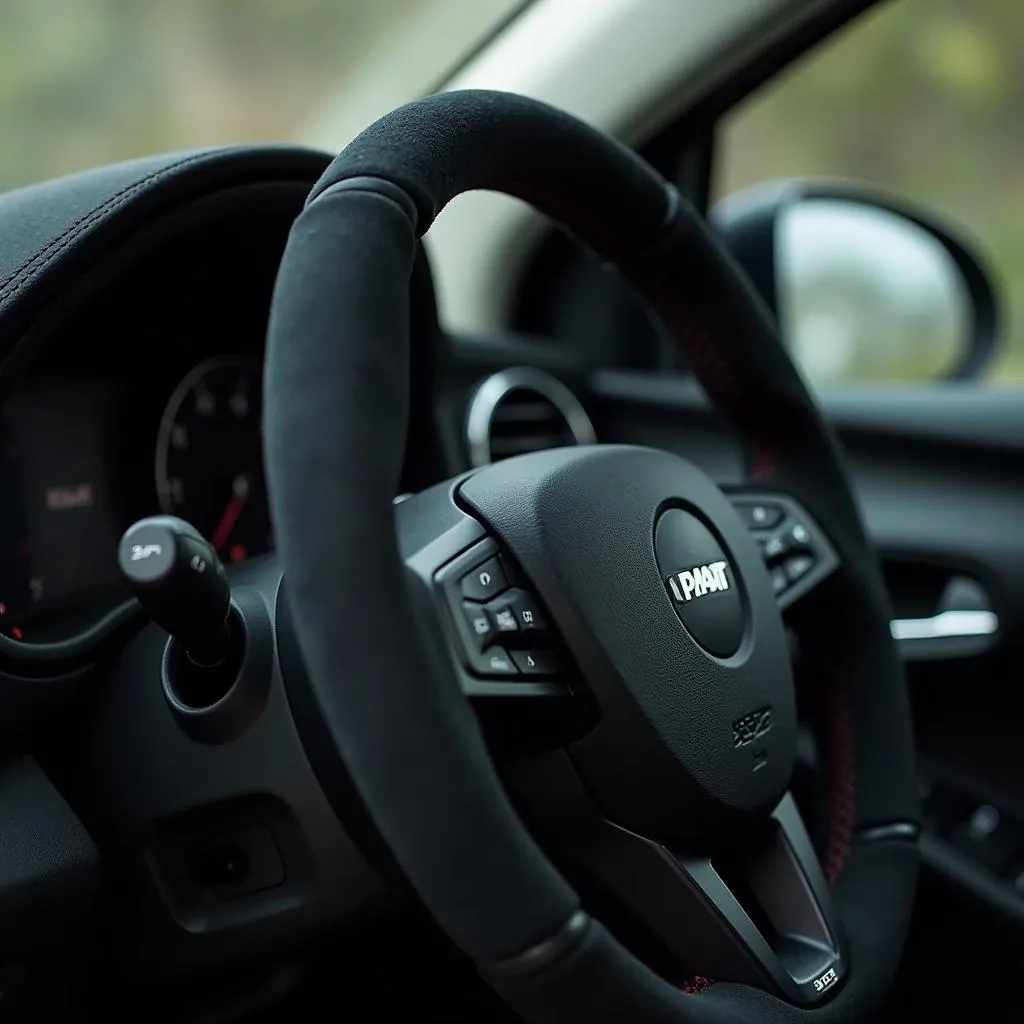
53, 232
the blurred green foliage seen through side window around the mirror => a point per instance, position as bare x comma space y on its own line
924, 99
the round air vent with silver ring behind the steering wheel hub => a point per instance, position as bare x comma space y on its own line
524, 410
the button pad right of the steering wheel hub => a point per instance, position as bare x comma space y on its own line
797, 553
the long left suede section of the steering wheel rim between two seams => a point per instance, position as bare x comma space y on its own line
337, 387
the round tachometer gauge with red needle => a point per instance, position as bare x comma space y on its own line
210, 457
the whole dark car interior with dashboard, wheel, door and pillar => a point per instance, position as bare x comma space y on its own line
520, 618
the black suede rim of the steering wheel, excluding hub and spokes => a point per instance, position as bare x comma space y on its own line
337, 395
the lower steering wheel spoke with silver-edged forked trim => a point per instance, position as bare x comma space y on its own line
758, 912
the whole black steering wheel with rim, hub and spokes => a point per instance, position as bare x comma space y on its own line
659, 600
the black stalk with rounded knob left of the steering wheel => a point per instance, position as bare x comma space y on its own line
181, 583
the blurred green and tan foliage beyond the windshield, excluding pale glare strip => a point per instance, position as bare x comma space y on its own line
84, 82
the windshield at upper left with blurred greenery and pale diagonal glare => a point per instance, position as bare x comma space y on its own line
89, 82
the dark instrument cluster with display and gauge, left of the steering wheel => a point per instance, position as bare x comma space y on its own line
86, 454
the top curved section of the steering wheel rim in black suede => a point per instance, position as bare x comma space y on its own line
452, 143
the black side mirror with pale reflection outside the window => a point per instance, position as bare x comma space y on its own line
866, 288
